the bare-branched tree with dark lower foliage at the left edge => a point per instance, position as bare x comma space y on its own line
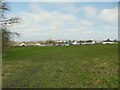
4, 23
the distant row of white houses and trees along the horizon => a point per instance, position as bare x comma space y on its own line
64, 43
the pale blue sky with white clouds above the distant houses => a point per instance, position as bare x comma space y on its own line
65, 20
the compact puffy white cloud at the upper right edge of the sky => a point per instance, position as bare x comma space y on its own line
109, 15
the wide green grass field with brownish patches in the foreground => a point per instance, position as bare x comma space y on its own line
85, 66
